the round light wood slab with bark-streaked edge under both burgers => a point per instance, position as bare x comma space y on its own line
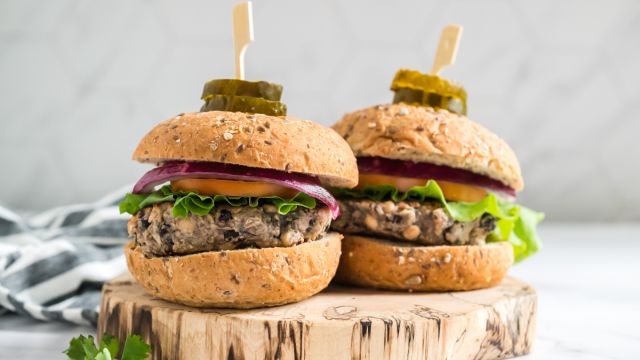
339, 323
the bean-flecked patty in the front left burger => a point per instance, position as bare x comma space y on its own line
159, 233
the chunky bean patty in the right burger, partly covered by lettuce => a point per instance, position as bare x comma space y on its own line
425, 223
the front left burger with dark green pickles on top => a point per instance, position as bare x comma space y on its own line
235, 214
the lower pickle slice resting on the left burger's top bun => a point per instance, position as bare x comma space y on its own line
246, 104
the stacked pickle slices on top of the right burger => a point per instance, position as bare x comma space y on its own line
414, 87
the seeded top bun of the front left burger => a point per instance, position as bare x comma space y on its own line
255, 140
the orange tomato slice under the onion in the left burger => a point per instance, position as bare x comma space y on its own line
232, 188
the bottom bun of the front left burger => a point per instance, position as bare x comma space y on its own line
242, 279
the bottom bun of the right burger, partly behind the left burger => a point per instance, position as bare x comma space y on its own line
390, 265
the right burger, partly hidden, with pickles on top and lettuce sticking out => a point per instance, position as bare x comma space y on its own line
435, 207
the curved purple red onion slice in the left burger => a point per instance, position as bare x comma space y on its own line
210, 170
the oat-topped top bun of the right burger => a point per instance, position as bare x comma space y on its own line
422, 134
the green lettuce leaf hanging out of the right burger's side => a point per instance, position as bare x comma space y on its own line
516, 224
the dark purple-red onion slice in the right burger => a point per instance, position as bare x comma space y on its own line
383, 166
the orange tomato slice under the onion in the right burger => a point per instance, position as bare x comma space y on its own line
452, 191
